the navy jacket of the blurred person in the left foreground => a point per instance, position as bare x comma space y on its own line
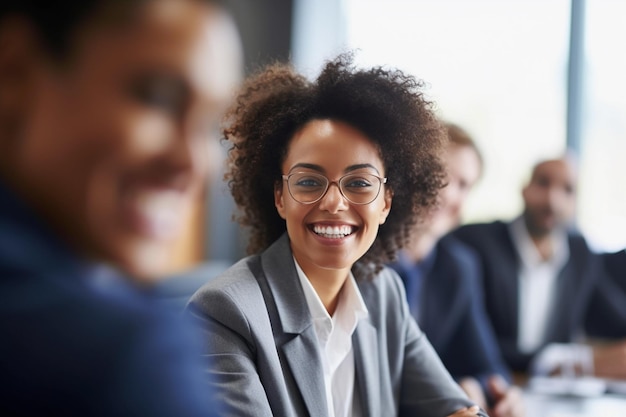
76, 343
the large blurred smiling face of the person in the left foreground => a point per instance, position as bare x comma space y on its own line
117, 142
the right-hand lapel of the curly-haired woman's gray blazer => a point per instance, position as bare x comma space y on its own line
365, 346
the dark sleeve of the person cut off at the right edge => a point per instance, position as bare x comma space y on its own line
607, 312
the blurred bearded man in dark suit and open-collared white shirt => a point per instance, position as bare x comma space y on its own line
539, 279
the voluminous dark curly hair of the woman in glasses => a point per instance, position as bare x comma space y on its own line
386, 105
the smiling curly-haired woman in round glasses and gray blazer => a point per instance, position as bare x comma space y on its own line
328, 174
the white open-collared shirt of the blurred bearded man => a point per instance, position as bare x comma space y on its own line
537, 284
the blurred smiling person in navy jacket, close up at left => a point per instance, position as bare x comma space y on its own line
106, 111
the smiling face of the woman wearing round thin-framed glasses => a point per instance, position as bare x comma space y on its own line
333, 149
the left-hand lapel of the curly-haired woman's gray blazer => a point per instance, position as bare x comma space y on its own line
299, 342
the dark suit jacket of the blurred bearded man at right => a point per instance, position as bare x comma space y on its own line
501, 263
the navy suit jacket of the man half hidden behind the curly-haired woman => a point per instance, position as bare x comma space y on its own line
452, 312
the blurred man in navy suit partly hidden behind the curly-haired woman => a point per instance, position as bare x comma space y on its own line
444, 291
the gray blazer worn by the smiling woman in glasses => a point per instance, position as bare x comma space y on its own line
265, 355
